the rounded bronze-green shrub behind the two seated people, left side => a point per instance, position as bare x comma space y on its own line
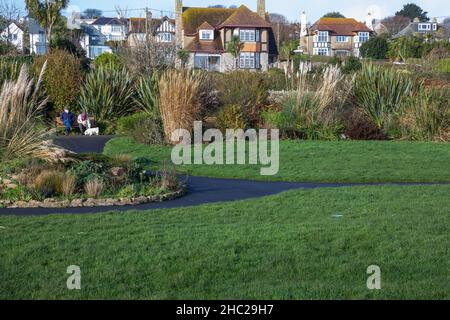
62, 78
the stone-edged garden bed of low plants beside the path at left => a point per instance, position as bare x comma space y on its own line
85, 181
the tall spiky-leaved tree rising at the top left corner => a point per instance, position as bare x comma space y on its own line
46, 13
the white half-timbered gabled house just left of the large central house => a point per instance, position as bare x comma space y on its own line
162, 29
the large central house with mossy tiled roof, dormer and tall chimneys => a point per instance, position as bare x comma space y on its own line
206, 32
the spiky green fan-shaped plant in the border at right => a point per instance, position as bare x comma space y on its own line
380, 91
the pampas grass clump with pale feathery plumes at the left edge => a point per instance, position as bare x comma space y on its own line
22, 133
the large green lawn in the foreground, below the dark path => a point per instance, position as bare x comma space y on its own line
300, 244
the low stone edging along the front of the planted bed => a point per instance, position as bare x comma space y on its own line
90, 202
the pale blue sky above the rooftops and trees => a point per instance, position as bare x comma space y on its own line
290, 8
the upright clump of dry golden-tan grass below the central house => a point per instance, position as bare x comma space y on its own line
179, 100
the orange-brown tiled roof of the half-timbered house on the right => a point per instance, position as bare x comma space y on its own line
340, 26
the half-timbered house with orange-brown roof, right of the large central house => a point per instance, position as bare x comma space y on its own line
339, 37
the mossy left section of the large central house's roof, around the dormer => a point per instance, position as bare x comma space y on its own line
194, 17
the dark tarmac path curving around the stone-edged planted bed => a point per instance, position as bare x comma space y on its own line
201, 190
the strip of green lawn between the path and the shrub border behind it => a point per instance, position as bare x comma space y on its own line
311, 161
